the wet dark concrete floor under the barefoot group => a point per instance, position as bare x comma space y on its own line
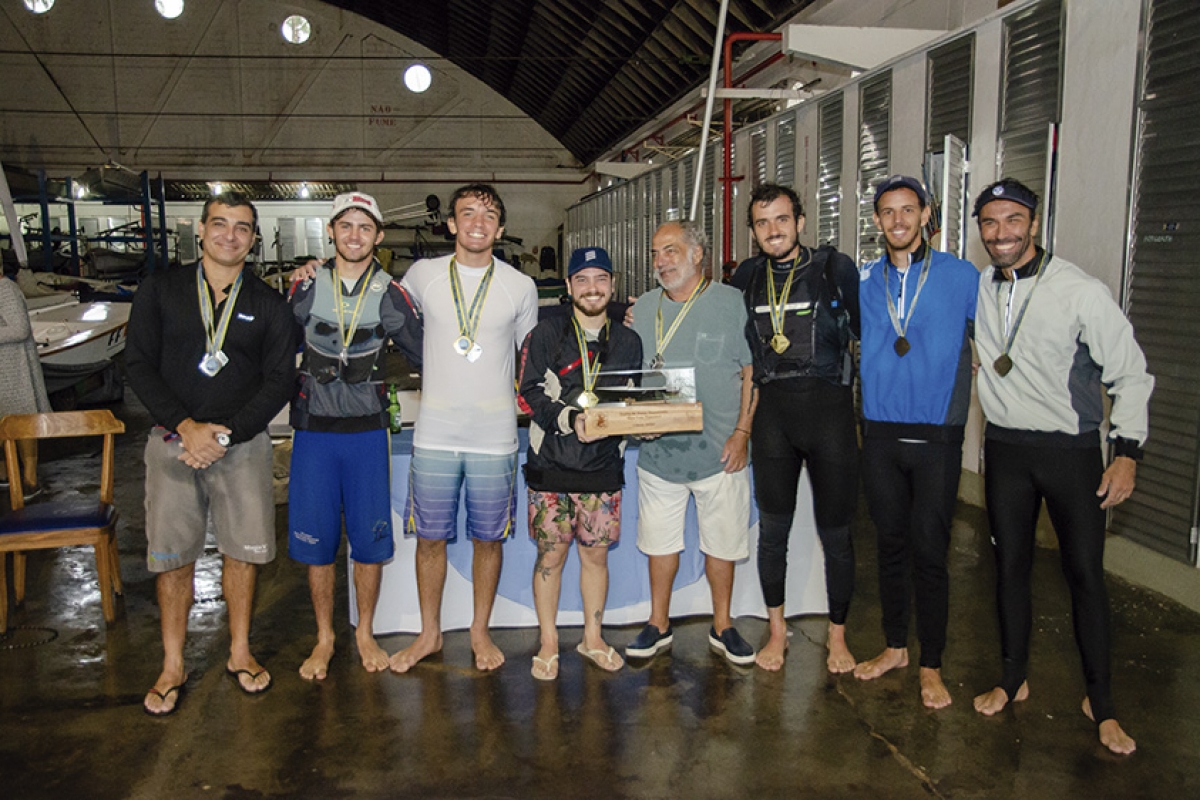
687, 726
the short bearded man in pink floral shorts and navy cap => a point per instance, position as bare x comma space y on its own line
575, 482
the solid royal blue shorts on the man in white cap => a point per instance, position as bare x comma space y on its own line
337, 473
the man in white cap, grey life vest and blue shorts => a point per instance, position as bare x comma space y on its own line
340, 460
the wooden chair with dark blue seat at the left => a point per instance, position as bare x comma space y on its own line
61, 524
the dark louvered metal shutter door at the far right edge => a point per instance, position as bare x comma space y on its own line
1163, 290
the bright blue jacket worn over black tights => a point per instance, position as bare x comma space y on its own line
925, 394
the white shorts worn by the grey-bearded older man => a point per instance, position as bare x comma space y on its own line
723, 507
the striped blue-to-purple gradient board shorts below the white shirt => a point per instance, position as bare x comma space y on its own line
436, 480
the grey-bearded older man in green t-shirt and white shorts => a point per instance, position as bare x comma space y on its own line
692, 322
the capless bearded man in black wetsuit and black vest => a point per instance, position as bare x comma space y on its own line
803, 311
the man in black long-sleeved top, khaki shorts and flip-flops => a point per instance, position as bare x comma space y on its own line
212, 353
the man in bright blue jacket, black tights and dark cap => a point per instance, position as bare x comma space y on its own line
919, 309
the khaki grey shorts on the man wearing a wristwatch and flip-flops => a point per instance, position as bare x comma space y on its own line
236, 494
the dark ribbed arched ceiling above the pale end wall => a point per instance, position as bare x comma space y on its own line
591, 73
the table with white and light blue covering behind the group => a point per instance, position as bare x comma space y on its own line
629, 587
